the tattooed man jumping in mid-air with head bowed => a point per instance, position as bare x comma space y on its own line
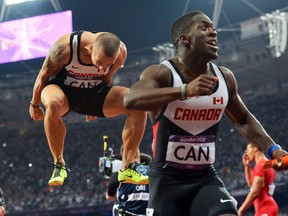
77, 75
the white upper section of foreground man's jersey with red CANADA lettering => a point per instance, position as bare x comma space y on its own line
197, 114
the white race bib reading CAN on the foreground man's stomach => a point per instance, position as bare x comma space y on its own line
190, 152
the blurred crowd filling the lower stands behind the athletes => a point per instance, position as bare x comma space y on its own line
26, 162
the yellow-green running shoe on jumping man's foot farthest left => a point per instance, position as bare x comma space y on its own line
59, 175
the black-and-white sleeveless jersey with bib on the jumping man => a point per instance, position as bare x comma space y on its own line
76, 73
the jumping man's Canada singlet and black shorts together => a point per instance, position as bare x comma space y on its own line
82, 83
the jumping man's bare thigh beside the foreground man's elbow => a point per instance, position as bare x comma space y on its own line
113, 104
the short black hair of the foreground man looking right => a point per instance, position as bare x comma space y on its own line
182, 25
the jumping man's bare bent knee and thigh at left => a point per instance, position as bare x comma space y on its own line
53, 96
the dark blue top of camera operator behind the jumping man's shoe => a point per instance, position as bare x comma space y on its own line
134, 198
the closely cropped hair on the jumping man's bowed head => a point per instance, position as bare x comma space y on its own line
110, 43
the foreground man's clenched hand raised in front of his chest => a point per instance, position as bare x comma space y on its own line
202, 85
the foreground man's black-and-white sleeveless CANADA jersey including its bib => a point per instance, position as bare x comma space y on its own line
184, 134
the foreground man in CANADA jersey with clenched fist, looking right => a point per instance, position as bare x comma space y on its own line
186, 98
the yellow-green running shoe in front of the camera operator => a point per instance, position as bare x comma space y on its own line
131, 176
